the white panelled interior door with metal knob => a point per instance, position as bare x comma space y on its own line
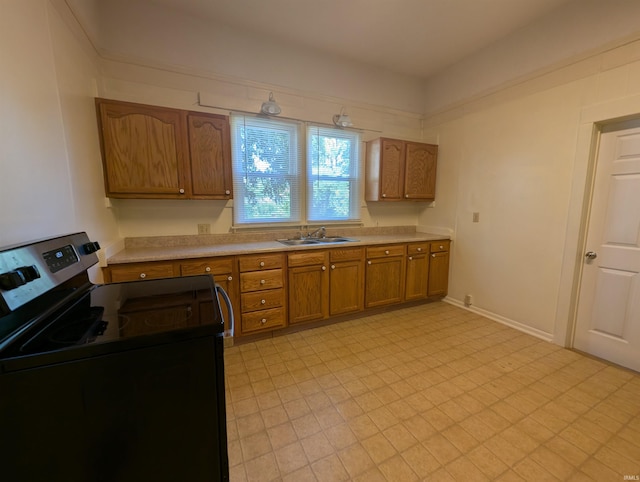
608, 315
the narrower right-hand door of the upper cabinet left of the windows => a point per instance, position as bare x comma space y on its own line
210, 156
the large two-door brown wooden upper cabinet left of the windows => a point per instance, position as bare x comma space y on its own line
161, 153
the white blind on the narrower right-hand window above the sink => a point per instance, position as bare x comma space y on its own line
333, 167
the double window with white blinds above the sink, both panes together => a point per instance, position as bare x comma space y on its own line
272, 184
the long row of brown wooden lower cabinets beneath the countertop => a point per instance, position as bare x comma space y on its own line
274, 290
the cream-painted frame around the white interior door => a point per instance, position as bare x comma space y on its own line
593, 120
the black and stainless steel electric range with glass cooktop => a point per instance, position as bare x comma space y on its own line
121, 382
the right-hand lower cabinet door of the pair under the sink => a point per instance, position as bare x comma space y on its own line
346, 287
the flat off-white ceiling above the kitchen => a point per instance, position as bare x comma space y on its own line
412, 37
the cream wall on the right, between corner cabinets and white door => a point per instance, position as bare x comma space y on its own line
515, 157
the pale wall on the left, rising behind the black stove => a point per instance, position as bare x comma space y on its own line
50, 176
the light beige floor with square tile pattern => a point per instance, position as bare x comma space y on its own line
431, 392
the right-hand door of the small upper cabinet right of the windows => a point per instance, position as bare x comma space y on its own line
420, 171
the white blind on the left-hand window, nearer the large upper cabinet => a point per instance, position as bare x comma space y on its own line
267, 160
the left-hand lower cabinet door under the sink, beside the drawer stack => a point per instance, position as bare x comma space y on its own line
308, 293
